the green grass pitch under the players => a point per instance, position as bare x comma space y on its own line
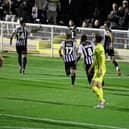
43, 98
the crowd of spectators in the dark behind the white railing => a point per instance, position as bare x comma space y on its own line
57, 12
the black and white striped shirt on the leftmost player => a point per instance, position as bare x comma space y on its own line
21, 36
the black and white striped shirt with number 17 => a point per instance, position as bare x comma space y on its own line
69, 49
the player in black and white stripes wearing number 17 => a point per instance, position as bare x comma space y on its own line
67, 51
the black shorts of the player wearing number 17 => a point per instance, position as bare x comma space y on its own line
68, 66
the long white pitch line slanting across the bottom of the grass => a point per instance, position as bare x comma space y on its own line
69, 123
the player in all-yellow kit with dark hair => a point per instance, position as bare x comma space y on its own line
99, 71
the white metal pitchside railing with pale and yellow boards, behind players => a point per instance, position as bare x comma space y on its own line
45, 39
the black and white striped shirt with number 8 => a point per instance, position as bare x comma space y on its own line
86, 48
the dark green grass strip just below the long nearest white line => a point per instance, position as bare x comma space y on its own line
58, 123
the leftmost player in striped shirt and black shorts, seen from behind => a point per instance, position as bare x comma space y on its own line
21, 34
